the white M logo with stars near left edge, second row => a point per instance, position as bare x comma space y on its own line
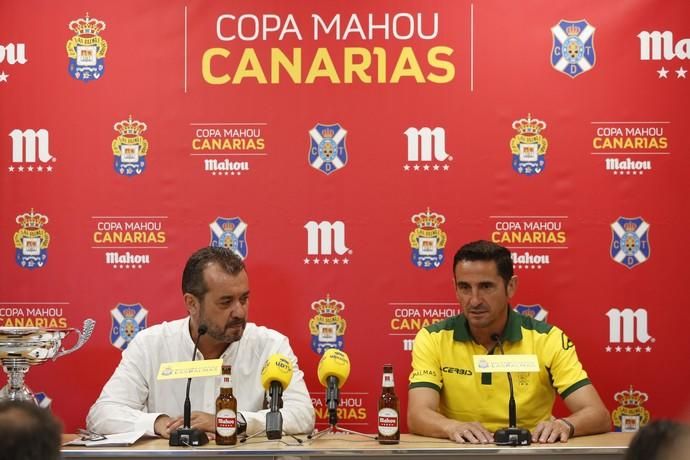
31, 151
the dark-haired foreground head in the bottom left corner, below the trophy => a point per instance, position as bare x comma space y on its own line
28, 432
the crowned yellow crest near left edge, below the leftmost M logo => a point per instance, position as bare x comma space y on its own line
31, 240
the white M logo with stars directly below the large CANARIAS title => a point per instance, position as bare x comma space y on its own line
426, 150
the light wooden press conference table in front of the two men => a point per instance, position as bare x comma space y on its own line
607, 446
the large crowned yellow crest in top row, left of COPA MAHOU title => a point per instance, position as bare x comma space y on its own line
86, 50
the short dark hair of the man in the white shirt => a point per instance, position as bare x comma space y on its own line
193, 274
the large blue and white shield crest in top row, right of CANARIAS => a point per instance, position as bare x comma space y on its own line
573, 47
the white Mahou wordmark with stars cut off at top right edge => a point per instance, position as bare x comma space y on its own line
659, 46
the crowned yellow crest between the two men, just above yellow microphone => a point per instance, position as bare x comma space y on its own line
327, 328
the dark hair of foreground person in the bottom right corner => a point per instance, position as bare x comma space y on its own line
657, 440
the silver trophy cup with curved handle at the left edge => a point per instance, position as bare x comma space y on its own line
22, 347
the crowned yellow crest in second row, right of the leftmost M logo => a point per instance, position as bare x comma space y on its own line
130, 147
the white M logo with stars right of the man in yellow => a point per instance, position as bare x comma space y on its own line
628, 331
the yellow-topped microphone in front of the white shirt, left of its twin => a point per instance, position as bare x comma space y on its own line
275, 377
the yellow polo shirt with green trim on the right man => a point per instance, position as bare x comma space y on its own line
442, 359
